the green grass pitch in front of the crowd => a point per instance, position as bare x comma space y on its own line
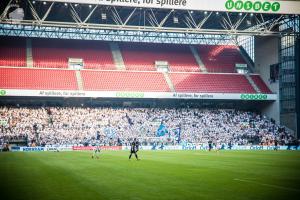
159, 175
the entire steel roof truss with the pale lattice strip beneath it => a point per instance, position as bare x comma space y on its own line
99, 22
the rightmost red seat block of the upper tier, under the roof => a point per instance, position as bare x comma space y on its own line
220, 58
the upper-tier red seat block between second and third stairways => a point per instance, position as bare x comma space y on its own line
142, 56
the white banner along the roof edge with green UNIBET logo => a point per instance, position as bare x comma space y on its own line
250, 6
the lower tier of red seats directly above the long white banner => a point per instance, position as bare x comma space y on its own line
94, 80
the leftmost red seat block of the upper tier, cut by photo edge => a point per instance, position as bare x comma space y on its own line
12, 51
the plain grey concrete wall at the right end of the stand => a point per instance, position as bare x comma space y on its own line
266, 54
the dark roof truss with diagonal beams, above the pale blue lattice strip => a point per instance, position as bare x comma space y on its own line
147, 19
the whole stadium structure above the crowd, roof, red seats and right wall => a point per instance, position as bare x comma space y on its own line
233, 54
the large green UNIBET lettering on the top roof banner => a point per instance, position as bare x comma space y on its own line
252, 5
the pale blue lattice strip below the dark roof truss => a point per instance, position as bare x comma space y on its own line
111, 35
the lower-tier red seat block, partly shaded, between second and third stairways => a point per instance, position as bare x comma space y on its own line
214, 83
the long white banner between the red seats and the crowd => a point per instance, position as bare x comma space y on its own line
137, 95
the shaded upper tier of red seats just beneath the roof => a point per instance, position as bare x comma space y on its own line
54, 53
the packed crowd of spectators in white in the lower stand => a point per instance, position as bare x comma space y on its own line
118, 126
